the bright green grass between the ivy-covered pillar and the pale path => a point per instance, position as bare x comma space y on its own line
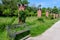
38, 27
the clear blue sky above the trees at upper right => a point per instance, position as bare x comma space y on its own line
45, 3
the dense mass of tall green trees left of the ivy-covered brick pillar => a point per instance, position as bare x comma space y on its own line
9, 7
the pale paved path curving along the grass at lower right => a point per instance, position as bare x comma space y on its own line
51, 34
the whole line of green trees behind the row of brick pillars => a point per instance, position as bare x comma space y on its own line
10, 8
